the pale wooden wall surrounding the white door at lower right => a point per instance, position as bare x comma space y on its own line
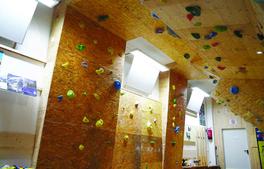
225, 119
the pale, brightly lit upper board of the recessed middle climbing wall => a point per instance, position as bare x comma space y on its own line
141, 115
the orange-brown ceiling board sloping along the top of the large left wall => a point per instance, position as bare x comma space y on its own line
129, 19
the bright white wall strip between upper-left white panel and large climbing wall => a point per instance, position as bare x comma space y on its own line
36, 40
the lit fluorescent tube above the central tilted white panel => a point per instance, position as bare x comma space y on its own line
147, 59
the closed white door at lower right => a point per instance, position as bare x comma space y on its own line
236, 149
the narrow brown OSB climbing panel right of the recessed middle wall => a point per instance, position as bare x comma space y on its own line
173, 153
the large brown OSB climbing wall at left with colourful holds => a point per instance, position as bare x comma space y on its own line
80, 123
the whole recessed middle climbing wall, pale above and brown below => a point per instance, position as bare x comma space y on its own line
138, 133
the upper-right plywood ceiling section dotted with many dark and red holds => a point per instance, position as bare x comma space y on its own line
235, 52
